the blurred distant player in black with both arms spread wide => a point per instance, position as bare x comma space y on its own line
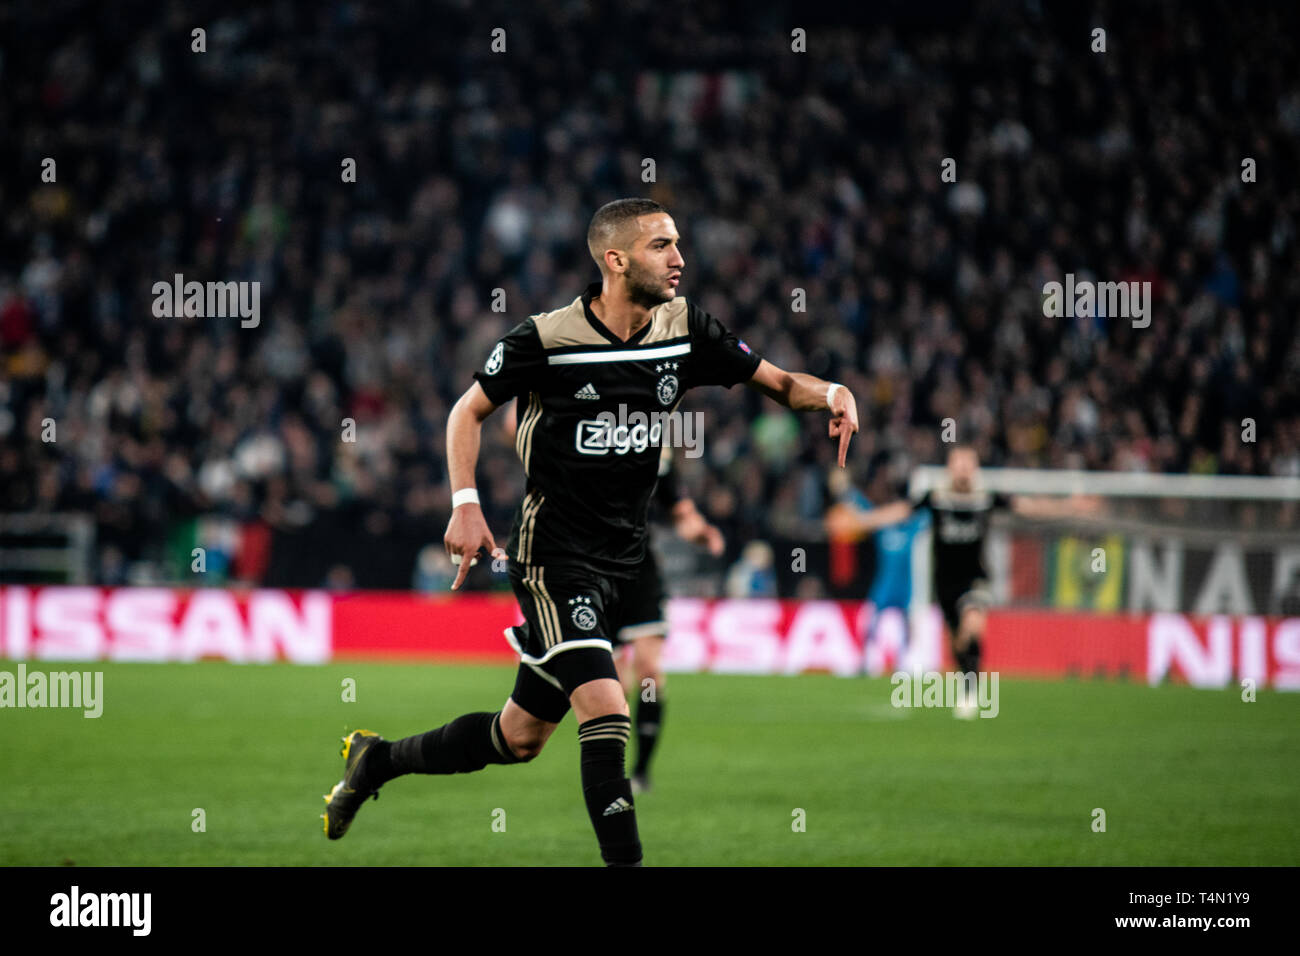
961, 513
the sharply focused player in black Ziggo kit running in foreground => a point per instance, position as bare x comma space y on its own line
626, 345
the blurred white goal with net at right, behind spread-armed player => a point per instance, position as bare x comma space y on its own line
1163, 577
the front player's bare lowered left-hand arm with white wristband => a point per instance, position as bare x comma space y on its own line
467, 531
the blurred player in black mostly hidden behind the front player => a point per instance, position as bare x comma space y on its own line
645, 625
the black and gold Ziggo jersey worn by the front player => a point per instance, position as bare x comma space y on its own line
593, 414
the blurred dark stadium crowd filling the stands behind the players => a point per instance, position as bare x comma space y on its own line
479, 171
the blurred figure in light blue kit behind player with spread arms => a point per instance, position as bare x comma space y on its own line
891, 585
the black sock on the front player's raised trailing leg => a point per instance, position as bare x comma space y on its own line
469, 743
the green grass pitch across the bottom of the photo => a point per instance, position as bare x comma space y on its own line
1185, 777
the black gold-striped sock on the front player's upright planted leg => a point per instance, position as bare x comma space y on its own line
606, 789
